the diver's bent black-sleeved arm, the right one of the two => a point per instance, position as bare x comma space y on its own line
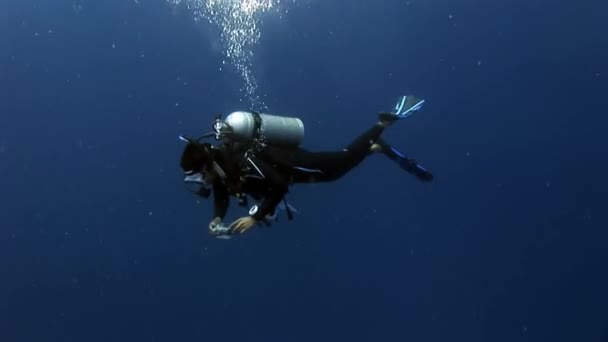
277, 188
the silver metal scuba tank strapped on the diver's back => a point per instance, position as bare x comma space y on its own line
273, 129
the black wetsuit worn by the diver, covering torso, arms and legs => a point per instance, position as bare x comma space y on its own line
268, 174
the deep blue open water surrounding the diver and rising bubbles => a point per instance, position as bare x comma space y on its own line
99, 241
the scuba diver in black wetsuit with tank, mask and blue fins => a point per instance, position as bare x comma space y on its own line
259, 157
